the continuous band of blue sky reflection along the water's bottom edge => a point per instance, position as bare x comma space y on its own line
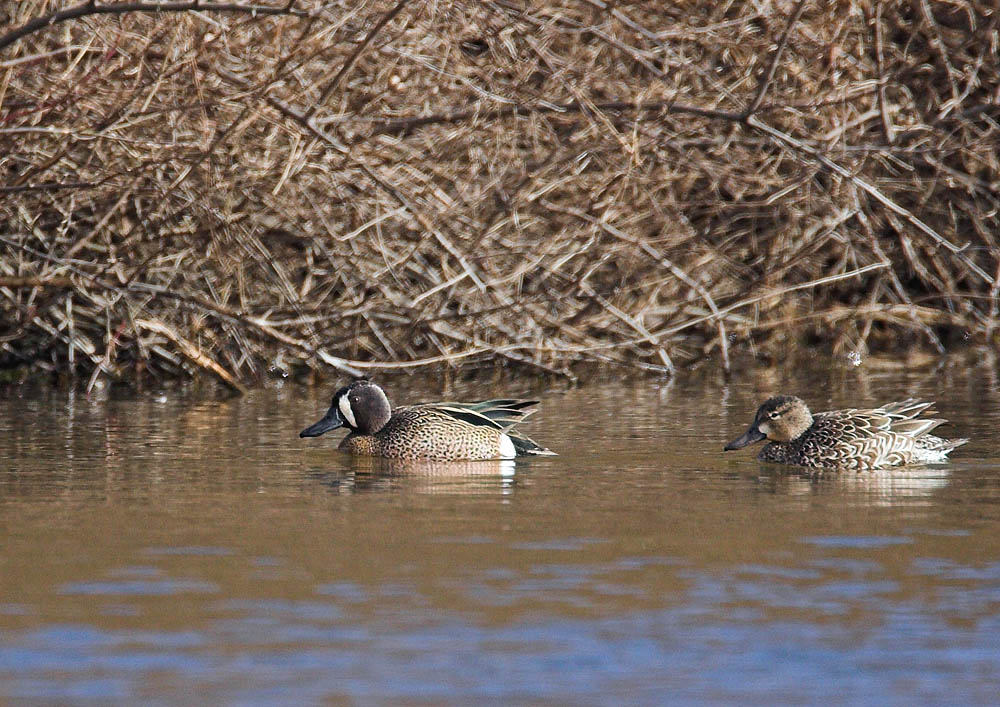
634, 657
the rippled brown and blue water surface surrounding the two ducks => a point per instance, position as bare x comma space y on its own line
163, 548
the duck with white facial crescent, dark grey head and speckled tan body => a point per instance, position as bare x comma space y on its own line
434, 431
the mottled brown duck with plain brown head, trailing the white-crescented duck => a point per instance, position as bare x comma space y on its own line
890, 435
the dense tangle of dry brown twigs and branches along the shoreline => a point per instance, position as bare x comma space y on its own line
230, 190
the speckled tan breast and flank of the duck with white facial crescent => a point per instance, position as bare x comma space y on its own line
423, 432
